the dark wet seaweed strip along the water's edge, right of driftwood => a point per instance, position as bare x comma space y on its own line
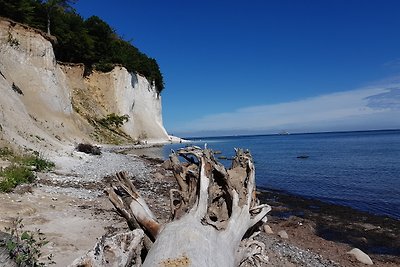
376, 235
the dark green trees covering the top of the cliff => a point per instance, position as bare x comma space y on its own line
91, 41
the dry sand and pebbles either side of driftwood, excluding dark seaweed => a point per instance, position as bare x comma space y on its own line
69, 202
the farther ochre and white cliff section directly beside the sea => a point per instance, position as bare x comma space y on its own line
121, 93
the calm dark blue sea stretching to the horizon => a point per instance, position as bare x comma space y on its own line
357, 169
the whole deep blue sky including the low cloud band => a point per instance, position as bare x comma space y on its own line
260, 66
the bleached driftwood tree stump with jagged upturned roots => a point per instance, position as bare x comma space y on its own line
215, 213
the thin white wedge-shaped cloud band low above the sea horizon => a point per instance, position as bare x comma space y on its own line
368, 108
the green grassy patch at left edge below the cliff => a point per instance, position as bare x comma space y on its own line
21, 169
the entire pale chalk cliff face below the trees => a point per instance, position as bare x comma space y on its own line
45, 103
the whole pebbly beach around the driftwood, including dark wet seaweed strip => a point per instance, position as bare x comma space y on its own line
69, 206
